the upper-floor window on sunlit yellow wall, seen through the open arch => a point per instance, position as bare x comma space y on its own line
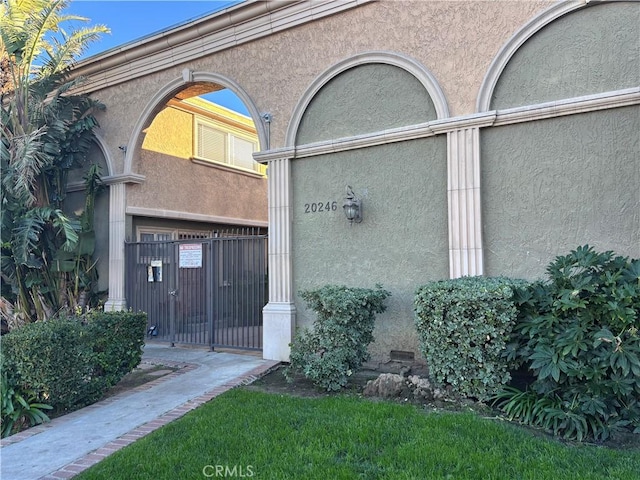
214, 144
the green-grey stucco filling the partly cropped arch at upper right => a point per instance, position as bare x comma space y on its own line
593, 50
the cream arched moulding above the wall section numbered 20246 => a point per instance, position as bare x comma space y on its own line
413, 67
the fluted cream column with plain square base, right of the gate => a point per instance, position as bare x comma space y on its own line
279, 314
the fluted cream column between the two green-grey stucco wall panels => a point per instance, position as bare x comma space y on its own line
463, 189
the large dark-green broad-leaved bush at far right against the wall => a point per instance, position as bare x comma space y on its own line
578, 334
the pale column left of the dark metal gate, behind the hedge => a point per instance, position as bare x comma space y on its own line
117, 300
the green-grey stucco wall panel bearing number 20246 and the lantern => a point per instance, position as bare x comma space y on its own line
401, 243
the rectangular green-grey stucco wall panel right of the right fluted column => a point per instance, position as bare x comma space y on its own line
552, 185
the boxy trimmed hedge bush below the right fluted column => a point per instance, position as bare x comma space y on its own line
463, 326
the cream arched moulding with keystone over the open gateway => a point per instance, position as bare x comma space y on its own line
157, 102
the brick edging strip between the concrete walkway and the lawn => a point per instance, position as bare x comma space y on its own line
72, 469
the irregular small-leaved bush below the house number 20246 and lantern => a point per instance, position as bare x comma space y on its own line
342, 331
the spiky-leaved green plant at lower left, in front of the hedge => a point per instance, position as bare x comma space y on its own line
19, 408
